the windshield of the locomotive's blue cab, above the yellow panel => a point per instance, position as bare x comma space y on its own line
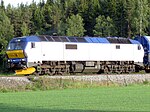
16, 45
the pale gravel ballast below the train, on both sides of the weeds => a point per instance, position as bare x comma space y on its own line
117, 79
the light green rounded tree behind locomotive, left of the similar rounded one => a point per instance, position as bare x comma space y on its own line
75, 26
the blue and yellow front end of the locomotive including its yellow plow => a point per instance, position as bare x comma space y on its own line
17, 57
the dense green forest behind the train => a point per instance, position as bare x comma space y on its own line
121, 18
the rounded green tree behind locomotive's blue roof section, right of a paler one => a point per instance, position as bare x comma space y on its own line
104, 26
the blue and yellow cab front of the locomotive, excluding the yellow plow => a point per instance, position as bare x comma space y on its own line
16, 54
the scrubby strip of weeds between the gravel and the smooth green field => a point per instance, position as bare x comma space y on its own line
44, 83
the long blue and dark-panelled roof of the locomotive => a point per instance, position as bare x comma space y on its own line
48, 38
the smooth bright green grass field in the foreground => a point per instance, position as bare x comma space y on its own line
101, 99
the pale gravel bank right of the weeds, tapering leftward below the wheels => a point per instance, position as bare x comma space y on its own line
116, 79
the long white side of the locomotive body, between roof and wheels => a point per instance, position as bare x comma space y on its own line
56, 51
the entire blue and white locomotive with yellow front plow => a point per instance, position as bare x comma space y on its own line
52, 55
